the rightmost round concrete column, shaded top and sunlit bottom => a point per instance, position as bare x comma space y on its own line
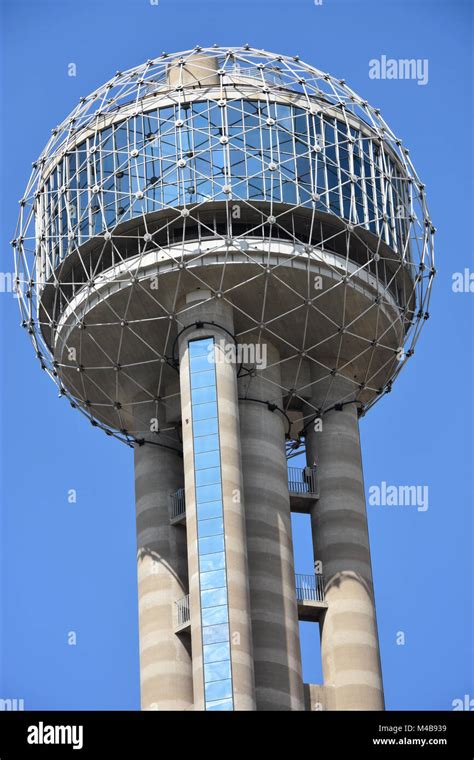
349, 638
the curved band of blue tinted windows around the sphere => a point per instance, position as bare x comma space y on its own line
253, 143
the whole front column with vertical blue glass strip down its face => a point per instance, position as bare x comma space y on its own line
217, 552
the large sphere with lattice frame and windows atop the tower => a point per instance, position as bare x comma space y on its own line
251, 177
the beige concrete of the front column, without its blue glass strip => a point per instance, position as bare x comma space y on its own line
200, 307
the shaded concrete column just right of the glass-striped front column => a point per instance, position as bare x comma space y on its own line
276, 644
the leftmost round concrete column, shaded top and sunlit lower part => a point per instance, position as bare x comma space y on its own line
165, 657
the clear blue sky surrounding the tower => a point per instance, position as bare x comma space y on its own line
71, 567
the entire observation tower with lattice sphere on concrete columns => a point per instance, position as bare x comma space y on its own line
225, 256
